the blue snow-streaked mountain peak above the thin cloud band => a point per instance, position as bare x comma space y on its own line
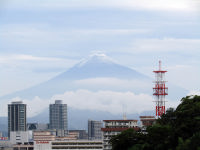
99, 66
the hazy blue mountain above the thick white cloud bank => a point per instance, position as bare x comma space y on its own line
85, 75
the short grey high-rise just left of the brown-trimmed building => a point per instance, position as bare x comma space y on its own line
94, 130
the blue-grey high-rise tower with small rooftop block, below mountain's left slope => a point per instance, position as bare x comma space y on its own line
58, 115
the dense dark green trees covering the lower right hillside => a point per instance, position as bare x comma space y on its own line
176, 130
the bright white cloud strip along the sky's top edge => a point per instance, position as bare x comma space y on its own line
161, 5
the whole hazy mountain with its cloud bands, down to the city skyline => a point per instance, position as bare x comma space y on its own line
96, 88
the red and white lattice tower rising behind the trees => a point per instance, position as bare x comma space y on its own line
160, 91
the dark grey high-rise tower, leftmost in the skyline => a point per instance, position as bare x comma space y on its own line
16, 117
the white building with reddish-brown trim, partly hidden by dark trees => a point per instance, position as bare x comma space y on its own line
115, 127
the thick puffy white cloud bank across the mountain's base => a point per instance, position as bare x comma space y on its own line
109, 101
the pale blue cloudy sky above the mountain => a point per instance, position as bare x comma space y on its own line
42, 38
